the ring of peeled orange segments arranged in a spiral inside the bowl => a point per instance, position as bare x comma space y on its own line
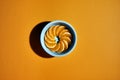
58, 38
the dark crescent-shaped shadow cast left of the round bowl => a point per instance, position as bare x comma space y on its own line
34, 40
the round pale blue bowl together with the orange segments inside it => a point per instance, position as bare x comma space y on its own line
58, 38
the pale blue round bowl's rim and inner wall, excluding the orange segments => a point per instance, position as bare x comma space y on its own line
71, 46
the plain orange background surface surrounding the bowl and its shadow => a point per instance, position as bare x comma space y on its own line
97, 53
